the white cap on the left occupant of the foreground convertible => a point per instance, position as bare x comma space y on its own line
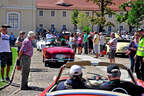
75, 70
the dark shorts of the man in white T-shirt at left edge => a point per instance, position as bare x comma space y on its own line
6, 59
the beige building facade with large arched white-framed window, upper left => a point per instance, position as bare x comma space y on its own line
19, 14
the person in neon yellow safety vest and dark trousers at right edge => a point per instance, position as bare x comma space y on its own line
139, 64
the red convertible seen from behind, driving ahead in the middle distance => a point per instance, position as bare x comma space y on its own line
55, 56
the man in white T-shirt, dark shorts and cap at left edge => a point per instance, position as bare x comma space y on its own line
5, 52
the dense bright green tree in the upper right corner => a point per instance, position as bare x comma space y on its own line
134, 13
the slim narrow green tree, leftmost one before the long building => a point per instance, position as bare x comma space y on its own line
75, 18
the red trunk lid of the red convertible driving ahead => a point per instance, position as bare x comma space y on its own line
53, 50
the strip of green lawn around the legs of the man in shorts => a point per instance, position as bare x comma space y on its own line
14, 54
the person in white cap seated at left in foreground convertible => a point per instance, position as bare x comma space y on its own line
75, 82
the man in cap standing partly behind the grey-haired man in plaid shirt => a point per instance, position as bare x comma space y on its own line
19, 40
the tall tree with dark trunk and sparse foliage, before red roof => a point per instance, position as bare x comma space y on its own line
104, 10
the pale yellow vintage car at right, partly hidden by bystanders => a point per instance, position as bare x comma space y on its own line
122, 46
